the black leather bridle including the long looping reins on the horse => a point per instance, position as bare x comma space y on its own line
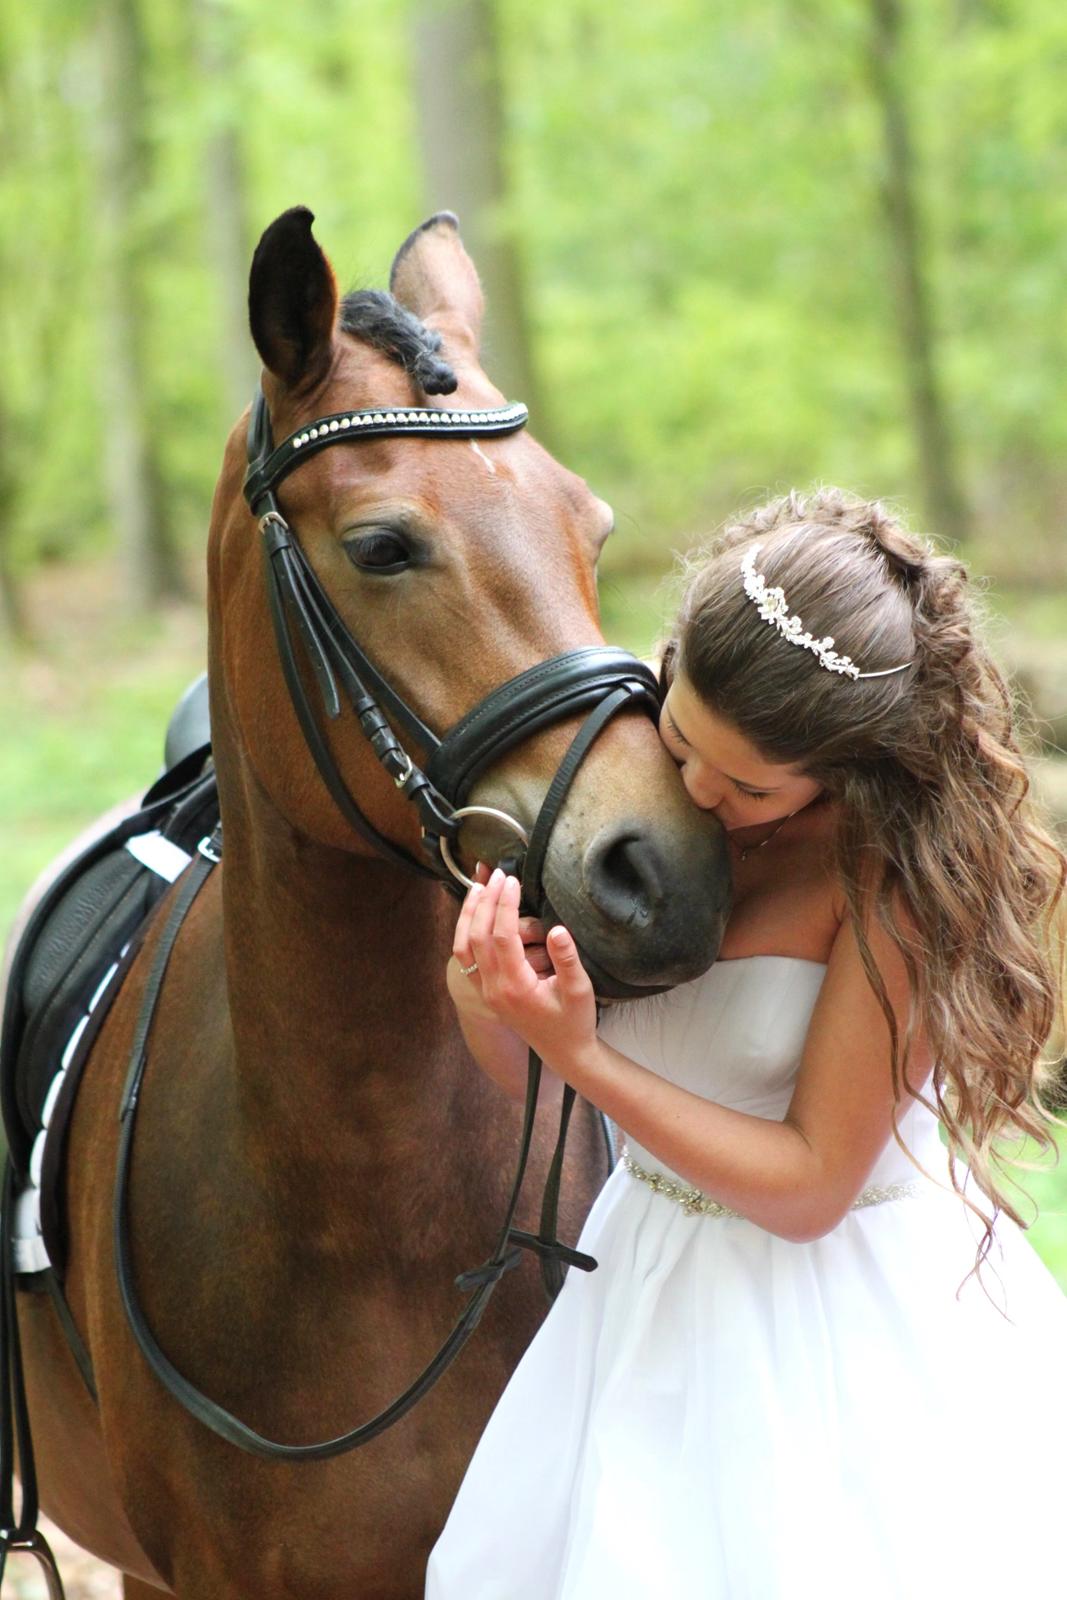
596, 681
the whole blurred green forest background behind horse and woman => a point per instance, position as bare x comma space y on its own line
727, 250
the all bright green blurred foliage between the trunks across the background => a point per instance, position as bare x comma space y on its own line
697, 193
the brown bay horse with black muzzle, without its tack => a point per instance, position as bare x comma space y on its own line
316, 1156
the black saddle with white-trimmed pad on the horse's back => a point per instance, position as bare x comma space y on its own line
82, 938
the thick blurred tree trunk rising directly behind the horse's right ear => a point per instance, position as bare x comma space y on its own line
463, 142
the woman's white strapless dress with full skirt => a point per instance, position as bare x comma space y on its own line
721, 1415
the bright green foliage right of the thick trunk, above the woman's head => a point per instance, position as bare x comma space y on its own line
716, 302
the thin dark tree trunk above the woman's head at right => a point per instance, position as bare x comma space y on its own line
935, 439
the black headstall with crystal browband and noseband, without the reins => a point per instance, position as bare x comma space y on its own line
597, 681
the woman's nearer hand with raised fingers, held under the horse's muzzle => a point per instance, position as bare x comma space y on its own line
556, 1009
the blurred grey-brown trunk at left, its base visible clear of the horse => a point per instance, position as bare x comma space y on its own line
135, 482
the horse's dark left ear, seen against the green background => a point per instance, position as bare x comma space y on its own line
292, 300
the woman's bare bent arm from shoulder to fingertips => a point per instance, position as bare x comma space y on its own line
796, 1178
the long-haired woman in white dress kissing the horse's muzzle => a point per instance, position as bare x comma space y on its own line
786, 1380
